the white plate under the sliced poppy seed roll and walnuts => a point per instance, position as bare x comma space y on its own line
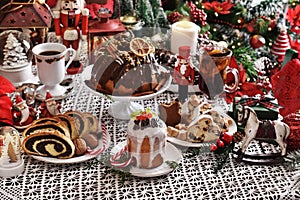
76, 159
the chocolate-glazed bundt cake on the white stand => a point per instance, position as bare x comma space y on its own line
124, 73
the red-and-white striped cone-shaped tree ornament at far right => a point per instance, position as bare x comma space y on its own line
281, 44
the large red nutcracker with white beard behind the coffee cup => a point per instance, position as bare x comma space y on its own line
66, 24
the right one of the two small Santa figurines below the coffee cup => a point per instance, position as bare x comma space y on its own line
49, 107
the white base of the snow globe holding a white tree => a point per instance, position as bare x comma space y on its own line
19, 75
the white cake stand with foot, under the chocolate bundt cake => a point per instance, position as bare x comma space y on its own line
122, 106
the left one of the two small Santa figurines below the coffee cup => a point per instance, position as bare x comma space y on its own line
22, 114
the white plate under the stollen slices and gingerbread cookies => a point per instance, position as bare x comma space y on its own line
232, 129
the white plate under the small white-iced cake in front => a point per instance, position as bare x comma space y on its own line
172, 154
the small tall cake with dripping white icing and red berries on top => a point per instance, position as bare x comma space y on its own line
146, 137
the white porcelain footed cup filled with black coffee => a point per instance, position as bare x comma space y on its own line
50, 60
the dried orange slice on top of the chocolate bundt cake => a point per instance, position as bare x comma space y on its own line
140, 47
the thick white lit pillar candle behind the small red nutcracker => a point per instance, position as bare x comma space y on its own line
184, 33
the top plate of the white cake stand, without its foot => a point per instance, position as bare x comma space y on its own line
86, 75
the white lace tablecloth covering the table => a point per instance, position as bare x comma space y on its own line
193, 179
